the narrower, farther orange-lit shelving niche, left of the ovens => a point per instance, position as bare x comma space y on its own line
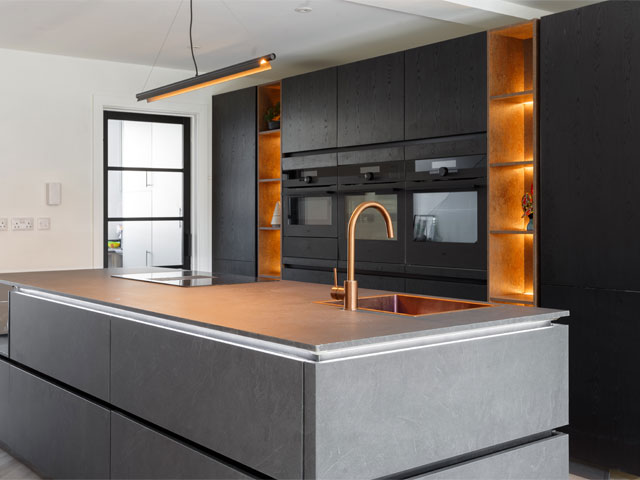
269, 185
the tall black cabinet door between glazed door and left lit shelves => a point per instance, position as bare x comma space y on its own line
234, 182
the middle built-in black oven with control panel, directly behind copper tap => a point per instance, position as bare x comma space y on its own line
381, 182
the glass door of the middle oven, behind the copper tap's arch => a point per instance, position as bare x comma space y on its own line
372, 244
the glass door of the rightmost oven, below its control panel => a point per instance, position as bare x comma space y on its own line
446, 226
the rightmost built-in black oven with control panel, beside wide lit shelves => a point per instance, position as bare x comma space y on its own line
446, 221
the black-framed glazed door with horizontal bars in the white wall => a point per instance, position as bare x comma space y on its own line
147, 190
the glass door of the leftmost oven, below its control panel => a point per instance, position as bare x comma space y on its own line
309, 212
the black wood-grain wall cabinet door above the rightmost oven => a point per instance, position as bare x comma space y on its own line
446, 88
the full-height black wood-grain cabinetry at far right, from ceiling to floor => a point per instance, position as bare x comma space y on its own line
589, 112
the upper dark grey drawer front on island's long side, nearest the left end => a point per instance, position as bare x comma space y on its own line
65, 342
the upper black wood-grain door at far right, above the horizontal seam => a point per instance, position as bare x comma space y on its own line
589, 145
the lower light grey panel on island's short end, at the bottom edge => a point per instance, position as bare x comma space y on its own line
546, 459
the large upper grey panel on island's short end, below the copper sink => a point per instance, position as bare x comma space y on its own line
443, 400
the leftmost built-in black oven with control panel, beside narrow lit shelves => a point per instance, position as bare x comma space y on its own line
310, 196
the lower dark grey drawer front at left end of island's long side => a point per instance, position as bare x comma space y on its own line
58, 433
